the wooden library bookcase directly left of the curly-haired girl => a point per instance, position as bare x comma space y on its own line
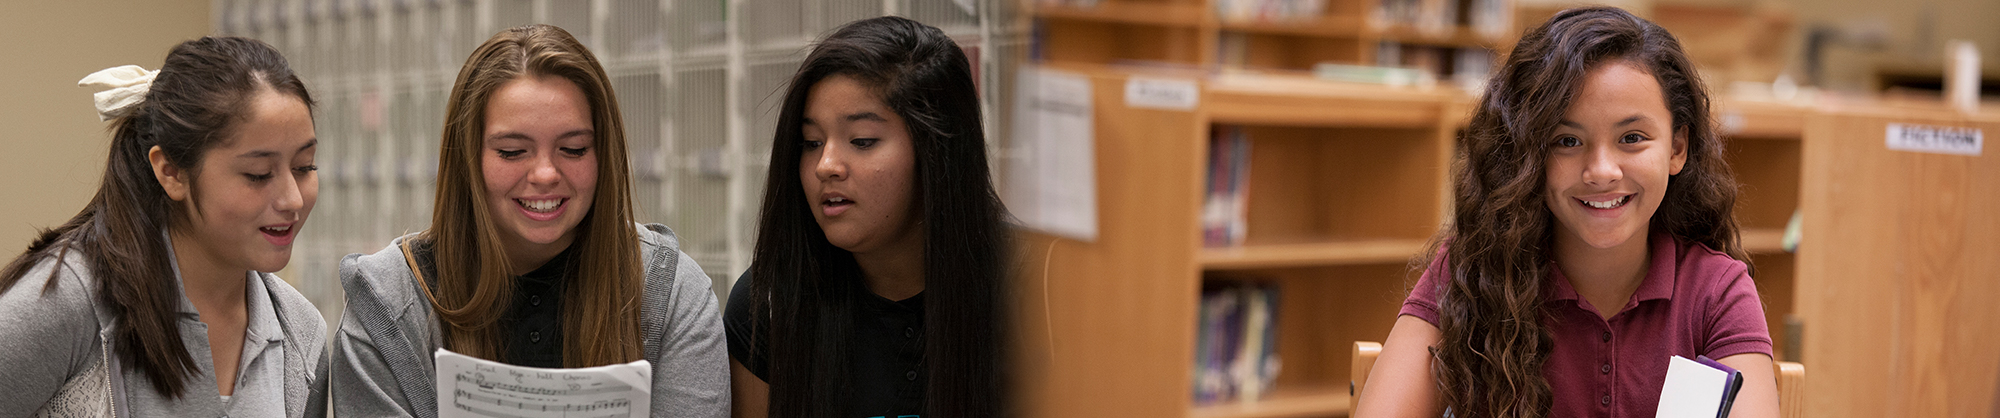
1347, 187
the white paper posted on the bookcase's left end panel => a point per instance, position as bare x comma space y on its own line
1051, 181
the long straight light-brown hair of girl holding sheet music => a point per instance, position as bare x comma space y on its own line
473, 285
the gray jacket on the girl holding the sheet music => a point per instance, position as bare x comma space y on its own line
383, 353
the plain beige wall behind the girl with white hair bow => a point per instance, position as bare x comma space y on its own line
51, 141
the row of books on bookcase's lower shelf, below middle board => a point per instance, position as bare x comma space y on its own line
1237, 351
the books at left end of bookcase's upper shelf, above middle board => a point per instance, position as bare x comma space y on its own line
1229, 187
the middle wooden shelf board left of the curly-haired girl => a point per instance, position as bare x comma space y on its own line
1309, 255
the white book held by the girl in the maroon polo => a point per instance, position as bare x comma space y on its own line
1699, 389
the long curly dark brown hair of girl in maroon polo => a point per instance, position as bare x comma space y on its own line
1489, 361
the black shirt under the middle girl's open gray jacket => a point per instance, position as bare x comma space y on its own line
531, 331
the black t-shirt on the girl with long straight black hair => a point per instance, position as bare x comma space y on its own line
887, 351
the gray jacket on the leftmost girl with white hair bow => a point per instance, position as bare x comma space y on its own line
55, 335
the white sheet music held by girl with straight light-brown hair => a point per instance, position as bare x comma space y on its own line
481, 389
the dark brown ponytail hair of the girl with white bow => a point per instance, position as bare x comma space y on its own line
197, 101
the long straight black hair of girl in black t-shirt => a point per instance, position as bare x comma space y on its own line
805, 283
